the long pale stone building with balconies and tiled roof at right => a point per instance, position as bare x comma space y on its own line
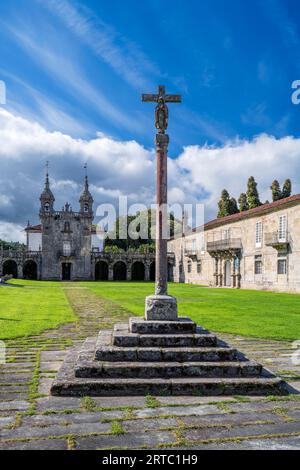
255, 249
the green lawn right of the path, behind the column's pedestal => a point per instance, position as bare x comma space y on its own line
248, 313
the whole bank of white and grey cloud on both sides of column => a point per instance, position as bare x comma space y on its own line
126, 168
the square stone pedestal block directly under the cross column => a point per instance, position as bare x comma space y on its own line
161, 307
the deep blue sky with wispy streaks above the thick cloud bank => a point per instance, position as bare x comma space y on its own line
233, 62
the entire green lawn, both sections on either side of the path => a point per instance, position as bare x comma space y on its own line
40, 305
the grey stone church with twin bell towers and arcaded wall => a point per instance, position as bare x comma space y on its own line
65, 246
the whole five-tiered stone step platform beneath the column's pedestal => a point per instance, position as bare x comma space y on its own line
155, 357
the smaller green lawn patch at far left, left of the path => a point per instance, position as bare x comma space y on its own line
32, 309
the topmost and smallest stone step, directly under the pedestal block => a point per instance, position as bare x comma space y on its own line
152, 327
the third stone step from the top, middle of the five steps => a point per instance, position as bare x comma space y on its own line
196, 354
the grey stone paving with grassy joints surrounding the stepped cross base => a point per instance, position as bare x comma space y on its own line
31, 419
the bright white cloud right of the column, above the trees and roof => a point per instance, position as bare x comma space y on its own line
210, 169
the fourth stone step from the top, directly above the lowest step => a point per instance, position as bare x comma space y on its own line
166, 370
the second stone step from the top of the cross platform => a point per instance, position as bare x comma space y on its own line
122, 338
